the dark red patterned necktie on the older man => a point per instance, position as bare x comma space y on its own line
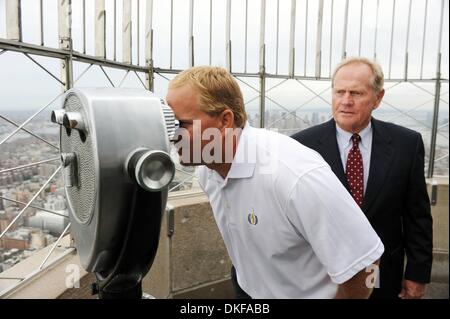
355, 171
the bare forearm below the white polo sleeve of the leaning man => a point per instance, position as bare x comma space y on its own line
356, 287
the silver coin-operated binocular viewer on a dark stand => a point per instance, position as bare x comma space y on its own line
114, 147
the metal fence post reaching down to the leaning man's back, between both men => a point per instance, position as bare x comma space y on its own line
262, 65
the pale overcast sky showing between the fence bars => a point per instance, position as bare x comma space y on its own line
18, 73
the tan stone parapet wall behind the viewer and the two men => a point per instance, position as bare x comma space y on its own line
192, 261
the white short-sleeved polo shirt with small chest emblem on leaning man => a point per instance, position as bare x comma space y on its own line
290, 227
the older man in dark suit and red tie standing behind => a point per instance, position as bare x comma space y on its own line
382, 166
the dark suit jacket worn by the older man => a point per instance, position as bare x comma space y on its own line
396, 201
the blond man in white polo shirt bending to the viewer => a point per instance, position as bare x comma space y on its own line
290, 227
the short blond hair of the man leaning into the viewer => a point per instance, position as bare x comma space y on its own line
217, 89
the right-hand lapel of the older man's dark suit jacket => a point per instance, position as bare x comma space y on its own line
380, 162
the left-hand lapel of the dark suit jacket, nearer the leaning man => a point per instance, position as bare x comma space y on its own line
330, 151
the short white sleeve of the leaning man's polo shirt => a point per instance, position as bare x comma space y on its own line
326, 215
